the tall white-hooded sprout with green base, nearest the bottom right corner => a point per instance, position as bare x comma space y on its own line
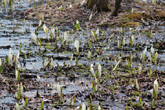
154, 91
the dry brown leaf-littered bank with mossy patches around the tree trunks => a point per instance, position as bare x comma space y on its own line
66, 13
